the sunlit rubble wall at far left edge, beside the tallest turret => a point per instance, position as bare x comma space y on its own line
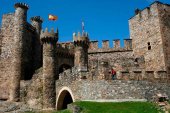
6, 54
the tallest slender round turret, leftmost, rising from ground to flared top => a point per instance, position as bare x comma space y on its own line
20, 22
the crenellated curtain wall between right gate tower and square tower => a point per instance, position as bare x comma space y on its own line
121, 58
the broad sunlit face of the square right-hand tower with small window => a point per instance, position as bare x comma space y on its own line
146, 35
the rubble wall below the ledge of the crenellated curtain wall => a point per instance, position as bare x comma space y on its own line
119, 60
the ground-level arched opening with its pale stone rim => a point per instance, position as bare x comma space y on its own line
64, 98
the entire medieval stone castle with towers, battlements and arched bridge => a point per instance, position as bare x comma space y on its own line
45, 74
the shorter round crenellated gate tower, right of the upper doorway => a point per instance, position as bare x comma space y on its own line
81, 44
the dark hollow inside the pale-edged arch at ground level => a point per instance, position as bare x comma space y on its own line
64, 99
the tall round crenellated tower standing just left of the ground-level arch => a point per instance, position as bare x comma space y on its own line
49, 40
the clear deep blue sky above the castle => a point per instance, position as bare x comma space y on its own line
104, 19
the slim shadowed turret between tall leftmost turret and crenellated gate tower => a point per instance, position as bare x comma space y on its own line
37, 24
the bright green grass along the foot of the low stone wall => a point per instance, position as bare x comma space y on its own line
109, 107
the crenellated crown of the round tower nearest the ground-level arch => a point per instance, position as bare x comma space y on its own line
48, 37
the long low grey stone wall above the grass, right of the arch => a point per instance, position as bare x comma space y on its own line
114, 89
